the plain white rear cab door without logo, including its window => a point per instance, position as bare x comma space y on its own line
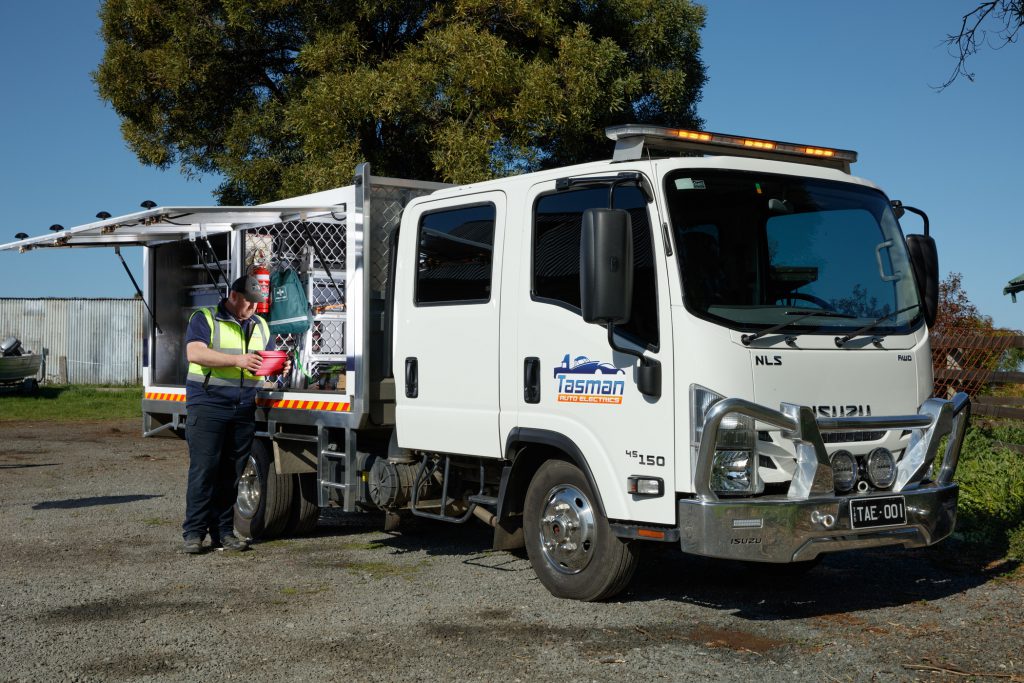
447, 338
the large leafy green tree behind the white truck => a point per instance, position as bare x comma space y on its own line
285, 97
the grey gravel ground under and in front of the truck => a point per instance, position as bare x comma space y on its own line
93, 587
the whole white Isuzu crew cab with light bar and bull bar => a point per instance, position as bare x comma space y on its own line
730, 353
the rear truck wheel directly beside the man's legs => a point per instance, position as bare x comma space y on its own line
265, 500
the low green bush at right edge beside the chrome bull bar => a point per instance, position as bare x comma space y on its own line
992, 481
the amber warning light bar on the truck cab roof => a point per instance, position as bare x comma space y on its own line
670, 139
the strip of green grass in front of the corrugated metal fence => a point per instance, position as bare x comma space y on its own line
72, 404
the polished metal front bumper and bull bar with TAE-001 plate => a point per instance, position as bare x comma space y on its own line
812, 520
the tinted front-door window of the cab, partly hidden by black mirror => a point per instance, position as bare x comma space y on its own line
558, 222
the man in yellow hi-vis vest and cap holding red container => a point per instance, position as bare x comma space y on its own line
223, 346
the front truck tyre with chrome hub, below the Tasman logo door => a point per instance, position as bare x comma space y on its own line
569, 541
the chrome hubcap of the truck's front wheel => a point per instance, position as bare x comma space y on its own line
568, 530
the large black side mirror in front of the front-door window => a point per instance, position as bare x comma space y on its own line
607, 267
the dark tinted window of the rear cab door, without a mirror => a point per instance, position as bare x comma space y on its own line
455, 261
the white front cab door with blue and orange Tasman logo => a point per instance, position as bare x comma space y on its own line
587, 397
